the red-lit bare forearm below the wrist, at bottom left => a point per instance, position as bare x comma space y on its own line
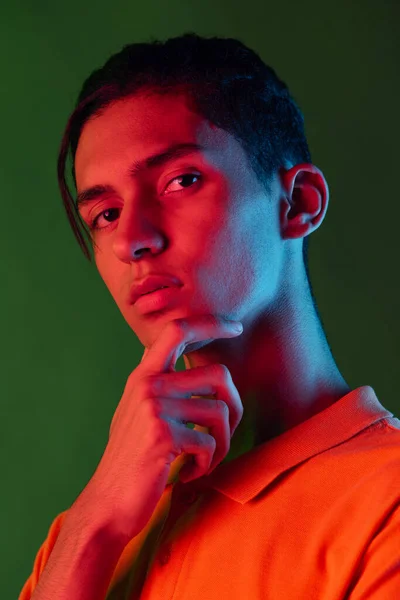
81, 563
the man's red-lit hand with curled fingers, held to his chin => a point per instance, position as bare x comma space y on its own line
148, 430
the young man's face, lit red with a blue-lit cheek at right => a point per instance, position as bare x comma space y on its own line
216, 229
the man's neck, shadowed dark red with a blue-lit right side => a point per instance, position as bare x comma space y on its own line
283, 369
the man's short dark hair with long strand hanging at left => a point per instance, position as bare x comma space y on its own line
225, 82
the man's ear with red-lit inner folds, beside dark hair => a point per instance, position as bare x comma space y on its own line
304, 200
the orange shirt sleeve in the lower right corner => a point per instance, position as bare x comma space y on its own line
379, 577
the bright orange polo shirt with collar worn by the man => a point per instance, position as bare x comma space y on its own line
313, 513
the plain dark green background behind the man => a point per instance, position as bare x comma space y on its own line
66, 351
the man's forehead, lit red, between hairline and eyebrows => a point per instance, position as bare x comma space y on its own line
132, 128
